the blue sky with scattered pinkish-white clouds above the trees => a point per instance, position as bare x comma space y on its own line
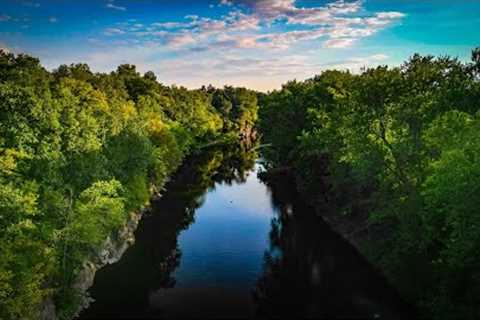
258, 44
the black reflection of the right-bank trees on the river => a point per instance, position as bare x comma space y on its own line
312, 272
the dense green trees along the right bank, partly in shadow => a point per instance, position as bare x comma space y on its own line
401, 144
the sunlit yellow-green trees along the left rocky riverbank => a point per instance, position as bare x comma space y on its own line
79, 152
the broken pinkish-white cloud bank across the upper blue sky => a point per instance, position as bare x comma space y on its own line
338, 24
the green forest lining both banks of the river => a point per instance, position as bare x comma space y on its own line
392, 151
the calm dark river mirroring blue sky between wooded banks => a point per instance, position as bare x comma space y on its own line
220, 243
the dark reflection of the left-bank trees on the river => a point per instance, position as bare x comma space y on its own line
135, 286
